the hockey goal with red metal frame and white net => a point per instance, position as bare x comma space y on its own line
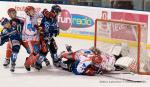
124, 38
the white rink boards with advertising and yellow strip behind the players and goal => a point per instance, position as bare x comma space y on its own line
79, 20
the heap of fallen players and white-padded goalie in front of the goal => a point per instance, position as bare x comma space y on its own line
92, 61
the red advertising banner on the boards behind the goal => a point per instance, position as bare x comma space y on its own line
126, 33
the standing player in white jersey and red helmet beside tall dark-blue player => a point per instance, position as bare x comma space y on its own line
31, 39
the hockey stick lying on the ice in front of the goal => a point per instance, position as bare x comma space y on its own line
125, 79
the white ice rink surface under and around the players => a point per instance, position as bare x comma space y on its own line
52, 77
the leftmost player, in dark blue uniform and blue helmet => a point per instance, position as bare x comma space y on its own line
13, 35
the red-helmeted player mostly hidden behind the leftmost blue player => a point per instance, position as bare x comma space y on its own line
15, 22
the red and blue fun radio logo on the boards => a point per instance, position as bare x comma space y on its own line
67, 20
